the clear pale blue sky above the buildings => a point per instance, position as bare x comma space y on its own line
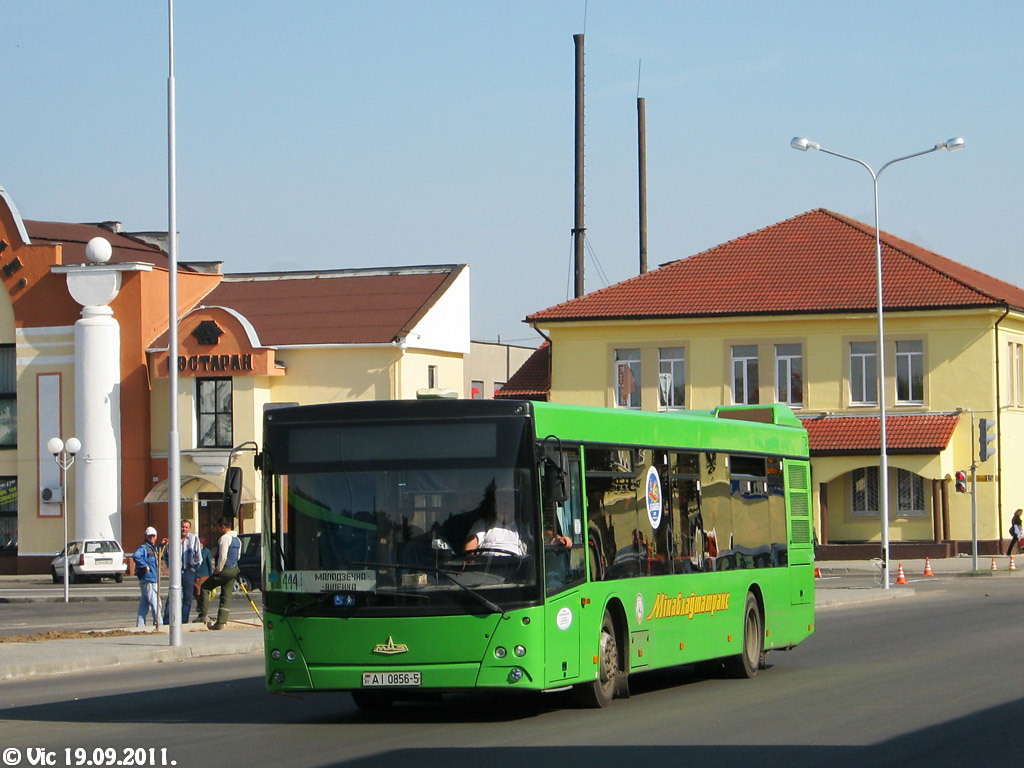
344, 135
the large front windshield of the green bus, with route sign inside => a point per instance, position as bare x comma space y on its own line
431, 517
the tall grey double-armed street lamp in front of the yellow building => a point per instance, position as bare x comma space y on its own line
952, 145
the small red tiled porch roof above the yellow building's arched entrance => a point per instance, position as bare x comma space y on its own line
921, 434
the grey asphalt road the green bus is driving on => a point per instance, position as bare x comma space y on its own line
931, 680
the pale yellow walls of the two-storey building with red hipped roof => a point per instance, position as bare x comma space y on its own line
960, 363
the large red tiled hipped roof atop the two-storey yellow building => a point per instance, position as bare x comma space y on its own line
820, 262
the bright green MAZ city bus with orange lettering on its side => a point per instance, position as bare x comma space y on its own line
419, 547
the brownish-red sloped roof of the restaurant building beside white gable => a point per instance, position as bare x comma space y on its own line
351, 307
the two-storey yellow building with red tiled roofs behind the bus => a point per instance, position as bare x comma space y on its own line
789, 315
